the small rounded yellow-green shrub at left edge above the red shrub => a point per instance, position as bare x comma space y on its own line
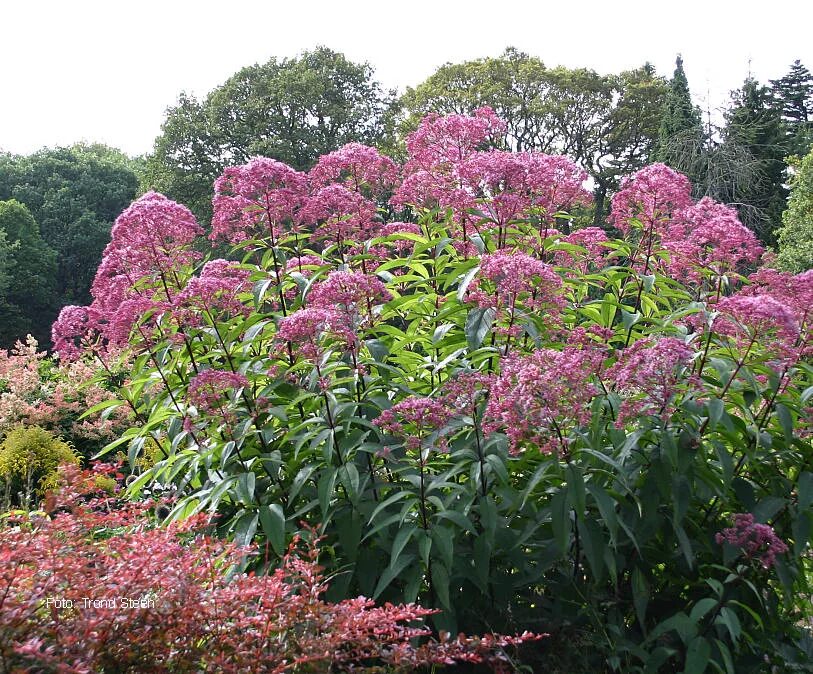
29, 459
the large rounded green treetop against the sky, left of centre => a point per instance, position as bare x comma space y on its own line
293, 110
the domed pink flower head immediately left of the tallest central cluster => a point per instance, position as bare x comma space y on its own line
358, 167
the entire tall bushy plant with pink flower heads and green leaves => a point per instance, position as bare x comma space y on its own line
518, 424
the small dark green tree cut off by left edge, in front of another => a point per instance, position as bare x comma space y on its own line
28, 304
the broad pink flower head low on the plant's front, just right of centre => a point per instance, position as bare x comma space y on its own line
536, 398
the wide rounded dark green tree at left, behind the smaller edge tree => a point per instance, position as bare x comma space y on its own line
74, 193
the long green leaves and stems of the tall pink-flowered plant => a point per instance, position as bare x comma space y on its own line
608, 544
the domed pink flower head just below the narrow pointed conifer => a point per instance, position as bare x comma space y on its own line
651, 196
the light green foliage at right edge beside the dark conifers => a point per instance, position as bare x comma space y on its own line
796, 234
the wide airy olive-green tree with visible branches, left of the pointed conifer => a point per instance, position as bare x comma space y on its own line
608, 124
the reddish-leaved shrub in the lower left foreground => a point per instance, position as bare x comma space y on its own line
95, 588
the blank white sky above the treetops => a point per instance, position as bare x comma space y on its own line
88, 70
